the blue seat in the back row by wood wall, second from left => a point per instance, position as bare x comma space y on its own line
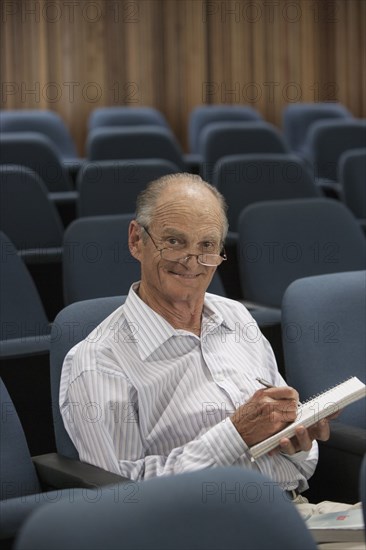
126, 116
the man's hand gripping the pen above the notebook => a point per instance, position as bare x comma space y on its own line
267, 412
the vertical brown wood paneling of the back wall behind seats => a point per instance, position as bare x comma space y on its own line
174, 54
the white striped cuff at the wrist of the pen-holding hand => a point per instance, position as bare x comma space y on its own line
225, 443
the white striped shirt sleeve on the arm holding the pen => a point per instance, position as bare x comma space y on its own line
93, 412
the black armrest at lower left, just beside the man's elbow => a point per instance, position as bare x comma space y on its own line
57, 471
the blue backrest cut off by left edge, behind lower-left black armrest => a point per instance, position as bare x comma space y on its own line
18, 475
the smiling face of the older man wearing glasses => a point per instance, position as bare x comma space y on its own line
188, 220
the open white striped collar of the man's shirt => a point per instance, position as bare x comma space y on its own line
152, 330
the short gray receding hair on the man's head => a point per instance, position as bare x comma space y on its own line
147, 199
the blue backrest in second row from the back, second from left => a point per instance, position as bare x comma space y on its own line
133, 142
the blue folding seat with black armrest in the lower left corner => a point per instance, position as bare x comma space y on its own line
26, 485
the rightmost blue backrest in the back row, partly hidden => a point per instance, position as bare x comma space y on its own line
298, 117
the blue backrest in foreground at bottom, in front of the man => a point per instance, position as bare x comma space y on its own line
216, 508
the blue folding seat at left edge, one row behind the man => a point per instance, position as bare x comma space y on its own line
24, 346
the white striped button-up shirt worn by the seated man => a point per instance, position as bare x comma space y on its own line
142, 399
